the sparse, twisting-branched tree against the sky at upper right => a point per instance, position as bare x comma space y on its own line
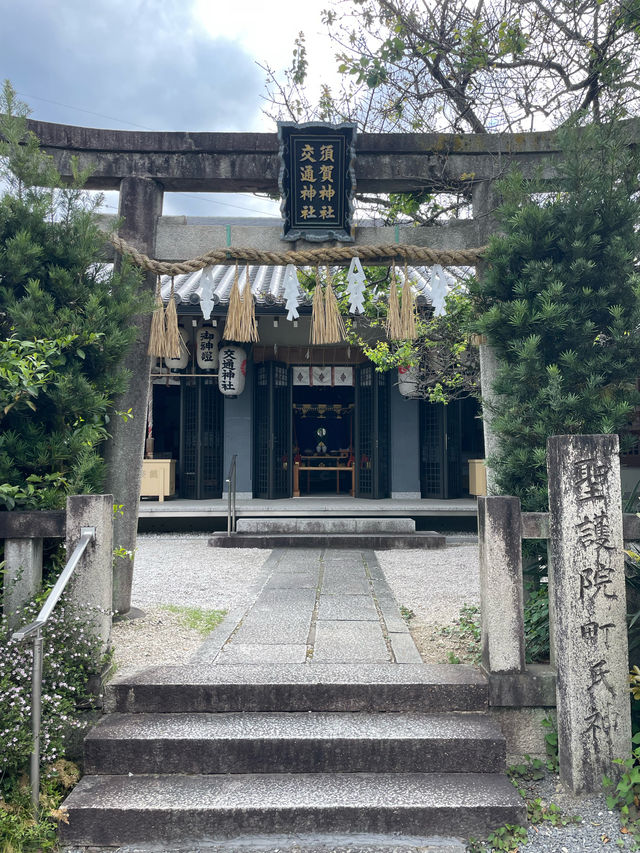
466, 67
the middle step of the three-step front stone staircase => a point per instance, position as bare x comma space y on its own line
294, 743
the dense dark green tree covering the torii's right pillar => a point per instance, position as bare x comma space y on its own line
560, 302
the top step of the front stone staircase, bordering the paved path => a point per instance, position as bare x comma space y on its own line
299, 687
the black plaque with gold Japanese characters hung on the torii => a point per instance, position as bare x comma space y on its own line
317, 180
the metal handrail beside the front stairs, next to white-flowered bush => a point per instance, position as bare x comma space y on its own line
33, 632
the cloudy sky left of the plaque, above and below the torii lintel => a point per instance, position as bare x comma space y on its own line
156, 65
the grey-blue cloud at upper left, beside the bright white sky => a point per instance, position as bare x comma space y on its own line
130, 62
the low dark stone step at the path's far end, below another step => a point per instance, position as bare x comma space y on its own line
363, 541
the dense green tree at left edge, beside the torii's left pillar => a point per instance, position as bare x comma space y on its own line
64, 317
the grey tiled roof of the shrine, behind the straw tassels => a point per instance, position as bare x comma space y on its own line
267, 286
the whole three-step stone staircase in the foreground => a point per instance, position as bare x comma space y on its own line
213, 755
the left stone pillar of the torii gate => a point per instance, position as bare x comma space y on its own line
140, 207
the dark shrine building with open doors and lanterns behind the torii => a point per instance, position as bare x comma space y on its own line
301, 419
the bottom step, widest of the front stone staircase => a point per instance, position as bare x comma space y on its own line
114, 810
